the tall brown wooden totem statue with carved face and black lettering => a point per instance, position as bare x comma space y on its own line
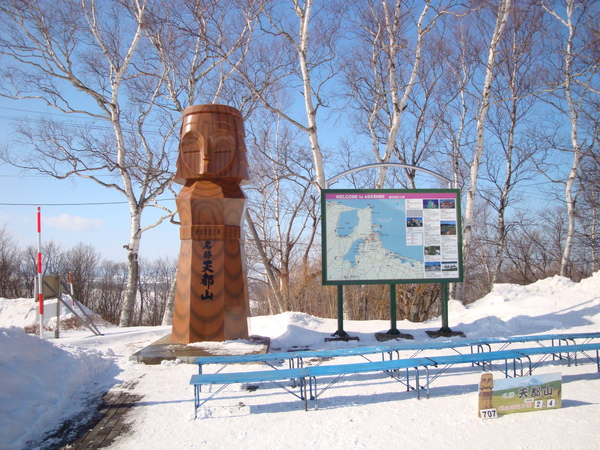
211, 301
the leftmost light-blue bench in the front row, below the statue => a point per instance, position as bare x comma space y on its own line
225, 379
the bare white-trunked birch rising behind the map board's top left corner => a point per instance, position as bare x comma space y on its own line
298, 46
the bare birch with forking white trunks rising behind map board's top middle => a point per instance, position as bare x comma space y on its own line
382, 82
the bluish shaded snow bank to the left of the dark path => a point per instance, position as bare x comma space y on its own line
42, 384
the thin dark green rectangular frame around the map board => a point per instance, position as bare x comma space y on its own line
390, 191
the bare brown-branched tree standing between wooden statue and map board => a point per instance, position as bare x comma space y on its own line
283, 213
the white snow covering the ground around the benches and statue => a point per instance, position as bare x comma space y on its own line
45, 382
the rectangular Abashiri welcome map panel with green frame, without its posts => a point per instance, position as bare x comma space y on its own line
385, 236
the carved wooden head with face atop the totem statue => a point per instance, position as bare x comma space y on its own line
212, 144
